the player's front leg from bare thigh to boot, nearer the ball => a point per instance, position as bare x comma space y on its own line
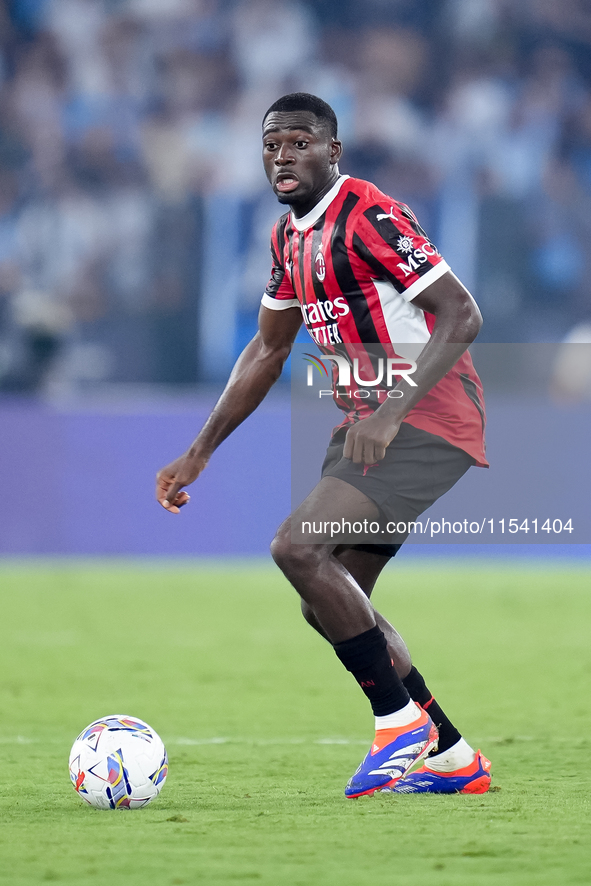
404, 732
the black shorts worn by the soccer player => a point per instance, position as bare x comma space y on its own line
418, 468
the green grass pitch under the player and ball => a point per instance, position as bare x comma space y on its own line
264, 727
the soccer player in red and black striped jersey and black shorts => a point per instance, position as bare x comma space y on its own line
357, 268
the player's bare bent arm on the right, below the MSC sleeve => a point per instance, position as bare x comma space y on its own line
457, 323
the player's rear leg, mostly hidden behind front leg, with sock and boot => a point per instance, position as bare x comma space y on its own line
454, 765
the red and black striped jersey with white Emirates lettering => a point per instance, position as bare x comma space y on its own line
353, 265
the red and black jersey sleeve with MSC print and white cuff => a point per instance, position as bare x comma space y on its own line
391, 241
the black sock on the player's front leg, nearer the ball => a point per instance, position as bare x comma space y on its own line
366, 656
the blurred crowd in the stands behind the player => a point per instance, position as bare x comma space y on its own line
134, 212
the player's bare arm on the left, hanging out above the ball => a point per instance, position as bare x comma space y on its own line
255, 372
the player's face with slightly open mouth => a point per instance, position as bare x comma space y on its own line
300, 158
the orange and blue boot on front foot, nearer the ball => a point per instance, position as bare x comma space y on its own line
392, 754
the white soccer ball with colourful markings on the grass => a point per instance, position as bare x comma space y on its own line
118, 762
